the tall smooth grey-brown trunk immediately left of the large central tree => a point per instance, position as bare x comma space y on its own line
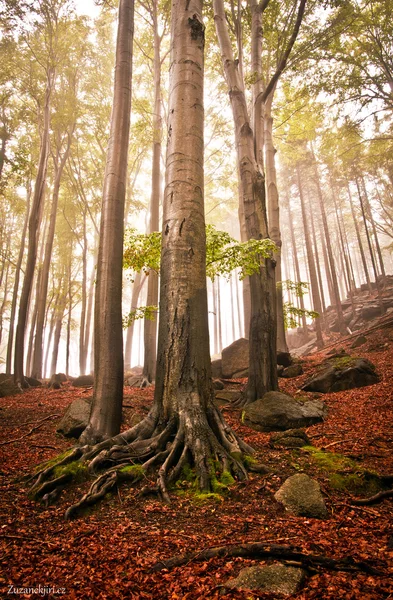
105, 417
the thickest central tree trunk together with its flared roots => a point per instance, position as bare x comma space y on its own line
183, 426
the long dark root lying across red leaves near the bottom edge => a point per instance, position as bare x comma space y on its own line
261, 550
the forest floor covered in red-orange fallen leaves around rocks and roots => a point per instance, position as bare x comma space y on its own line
108, 552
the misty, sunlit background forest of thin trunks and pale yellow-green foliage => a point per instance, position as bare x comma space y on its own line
327, 158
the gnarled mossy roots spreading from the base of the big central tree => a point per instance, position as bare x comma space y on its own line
198, 438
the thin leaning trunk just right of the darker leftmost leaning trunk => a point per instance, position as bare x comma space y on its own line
39, 330
